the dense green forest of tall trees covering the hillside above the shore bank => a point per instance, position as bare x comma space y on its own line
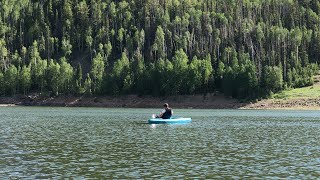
244, 48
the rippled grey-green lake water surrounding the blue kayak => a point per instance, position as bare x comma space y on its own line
43, 142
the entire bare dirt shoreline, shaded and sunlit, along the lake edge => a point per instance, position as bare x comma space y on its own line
209, 101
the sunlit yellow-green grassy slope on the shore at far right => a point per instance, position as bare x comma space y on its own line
299, 93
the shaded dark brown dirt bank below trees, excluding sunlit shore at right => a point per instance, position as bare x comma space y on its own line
128, 101
